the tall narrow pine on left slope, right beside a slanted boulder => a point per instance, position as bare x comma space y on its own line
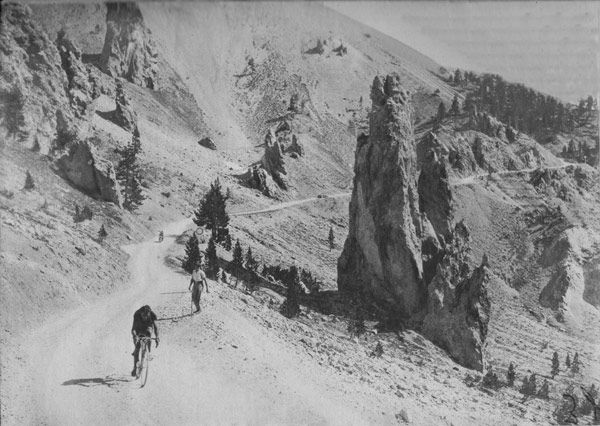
129, 174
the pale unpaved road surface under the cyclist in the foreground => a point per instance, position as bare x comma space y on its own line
213, 368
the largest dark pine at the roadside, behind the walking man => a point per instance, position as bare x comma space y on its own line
211, 212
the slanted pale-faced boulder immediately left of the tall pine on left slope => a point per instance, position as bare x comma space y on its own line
85, 169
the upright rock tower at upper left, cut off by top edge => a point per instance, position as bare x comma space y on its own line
129, 51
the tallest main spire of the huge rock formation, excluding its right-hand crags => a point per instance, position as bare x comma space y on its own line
383, 251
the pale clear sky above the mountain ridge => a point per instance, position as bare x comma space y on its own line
551, 46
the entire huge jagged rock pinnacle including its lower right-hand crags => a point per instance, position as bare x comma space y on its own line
403, 249
